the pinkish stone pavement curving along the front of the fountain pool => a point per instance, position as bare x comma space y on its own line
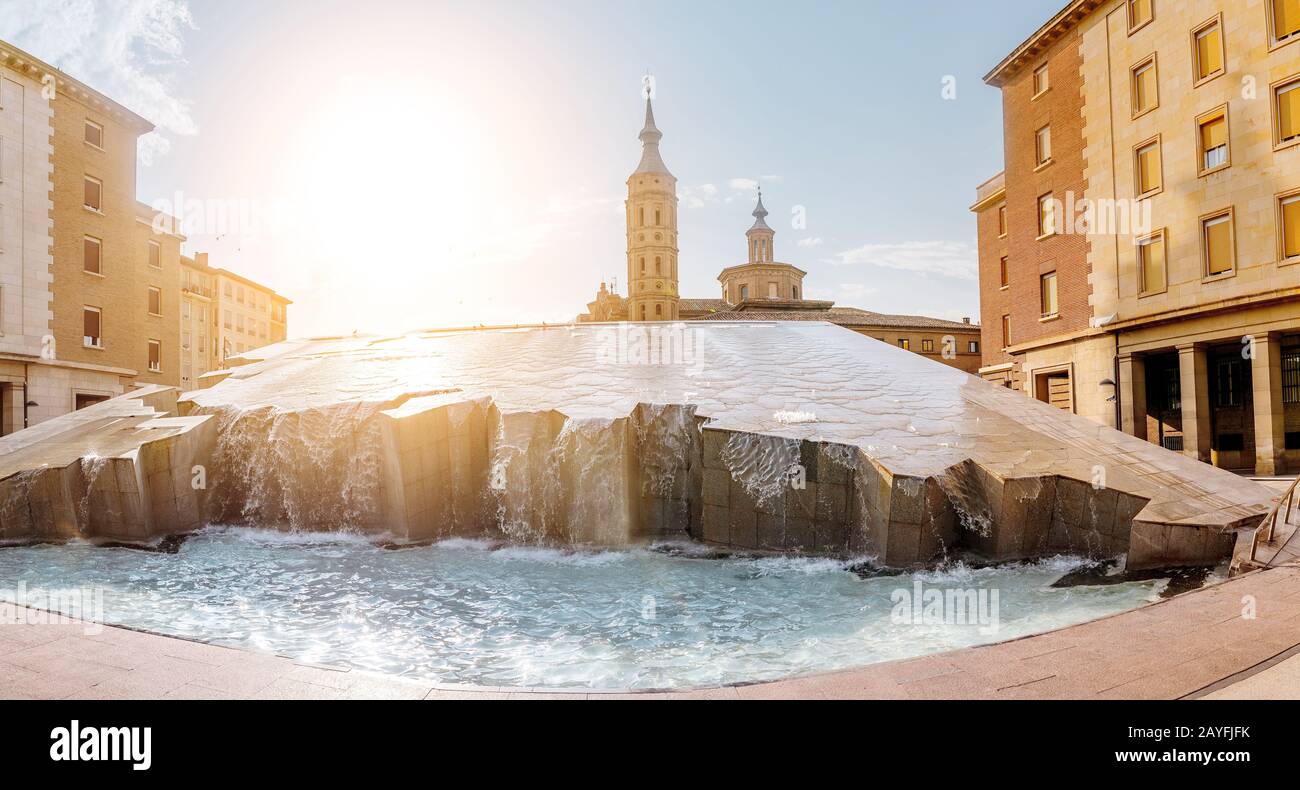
1181, 648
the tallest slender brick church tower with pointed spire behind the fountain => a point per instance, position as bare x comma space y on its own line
652, 233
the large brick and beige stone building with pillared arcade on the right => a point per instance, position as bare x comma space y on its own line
1172, 310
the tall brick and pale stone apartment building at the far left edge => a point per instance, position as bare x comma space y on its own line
88, 281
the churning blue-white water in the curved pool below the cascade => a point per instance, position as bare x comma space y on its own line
471, 613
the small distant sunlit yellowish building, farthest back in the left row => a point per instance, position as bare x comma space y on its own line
249, 315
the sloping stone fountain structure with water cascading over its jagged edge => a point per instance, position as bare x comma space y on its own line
792, 437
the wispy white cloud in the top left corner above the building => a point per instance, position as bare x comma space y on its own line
128, 50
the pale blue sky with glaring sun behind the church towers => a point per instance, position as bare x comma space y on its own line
398, 164
